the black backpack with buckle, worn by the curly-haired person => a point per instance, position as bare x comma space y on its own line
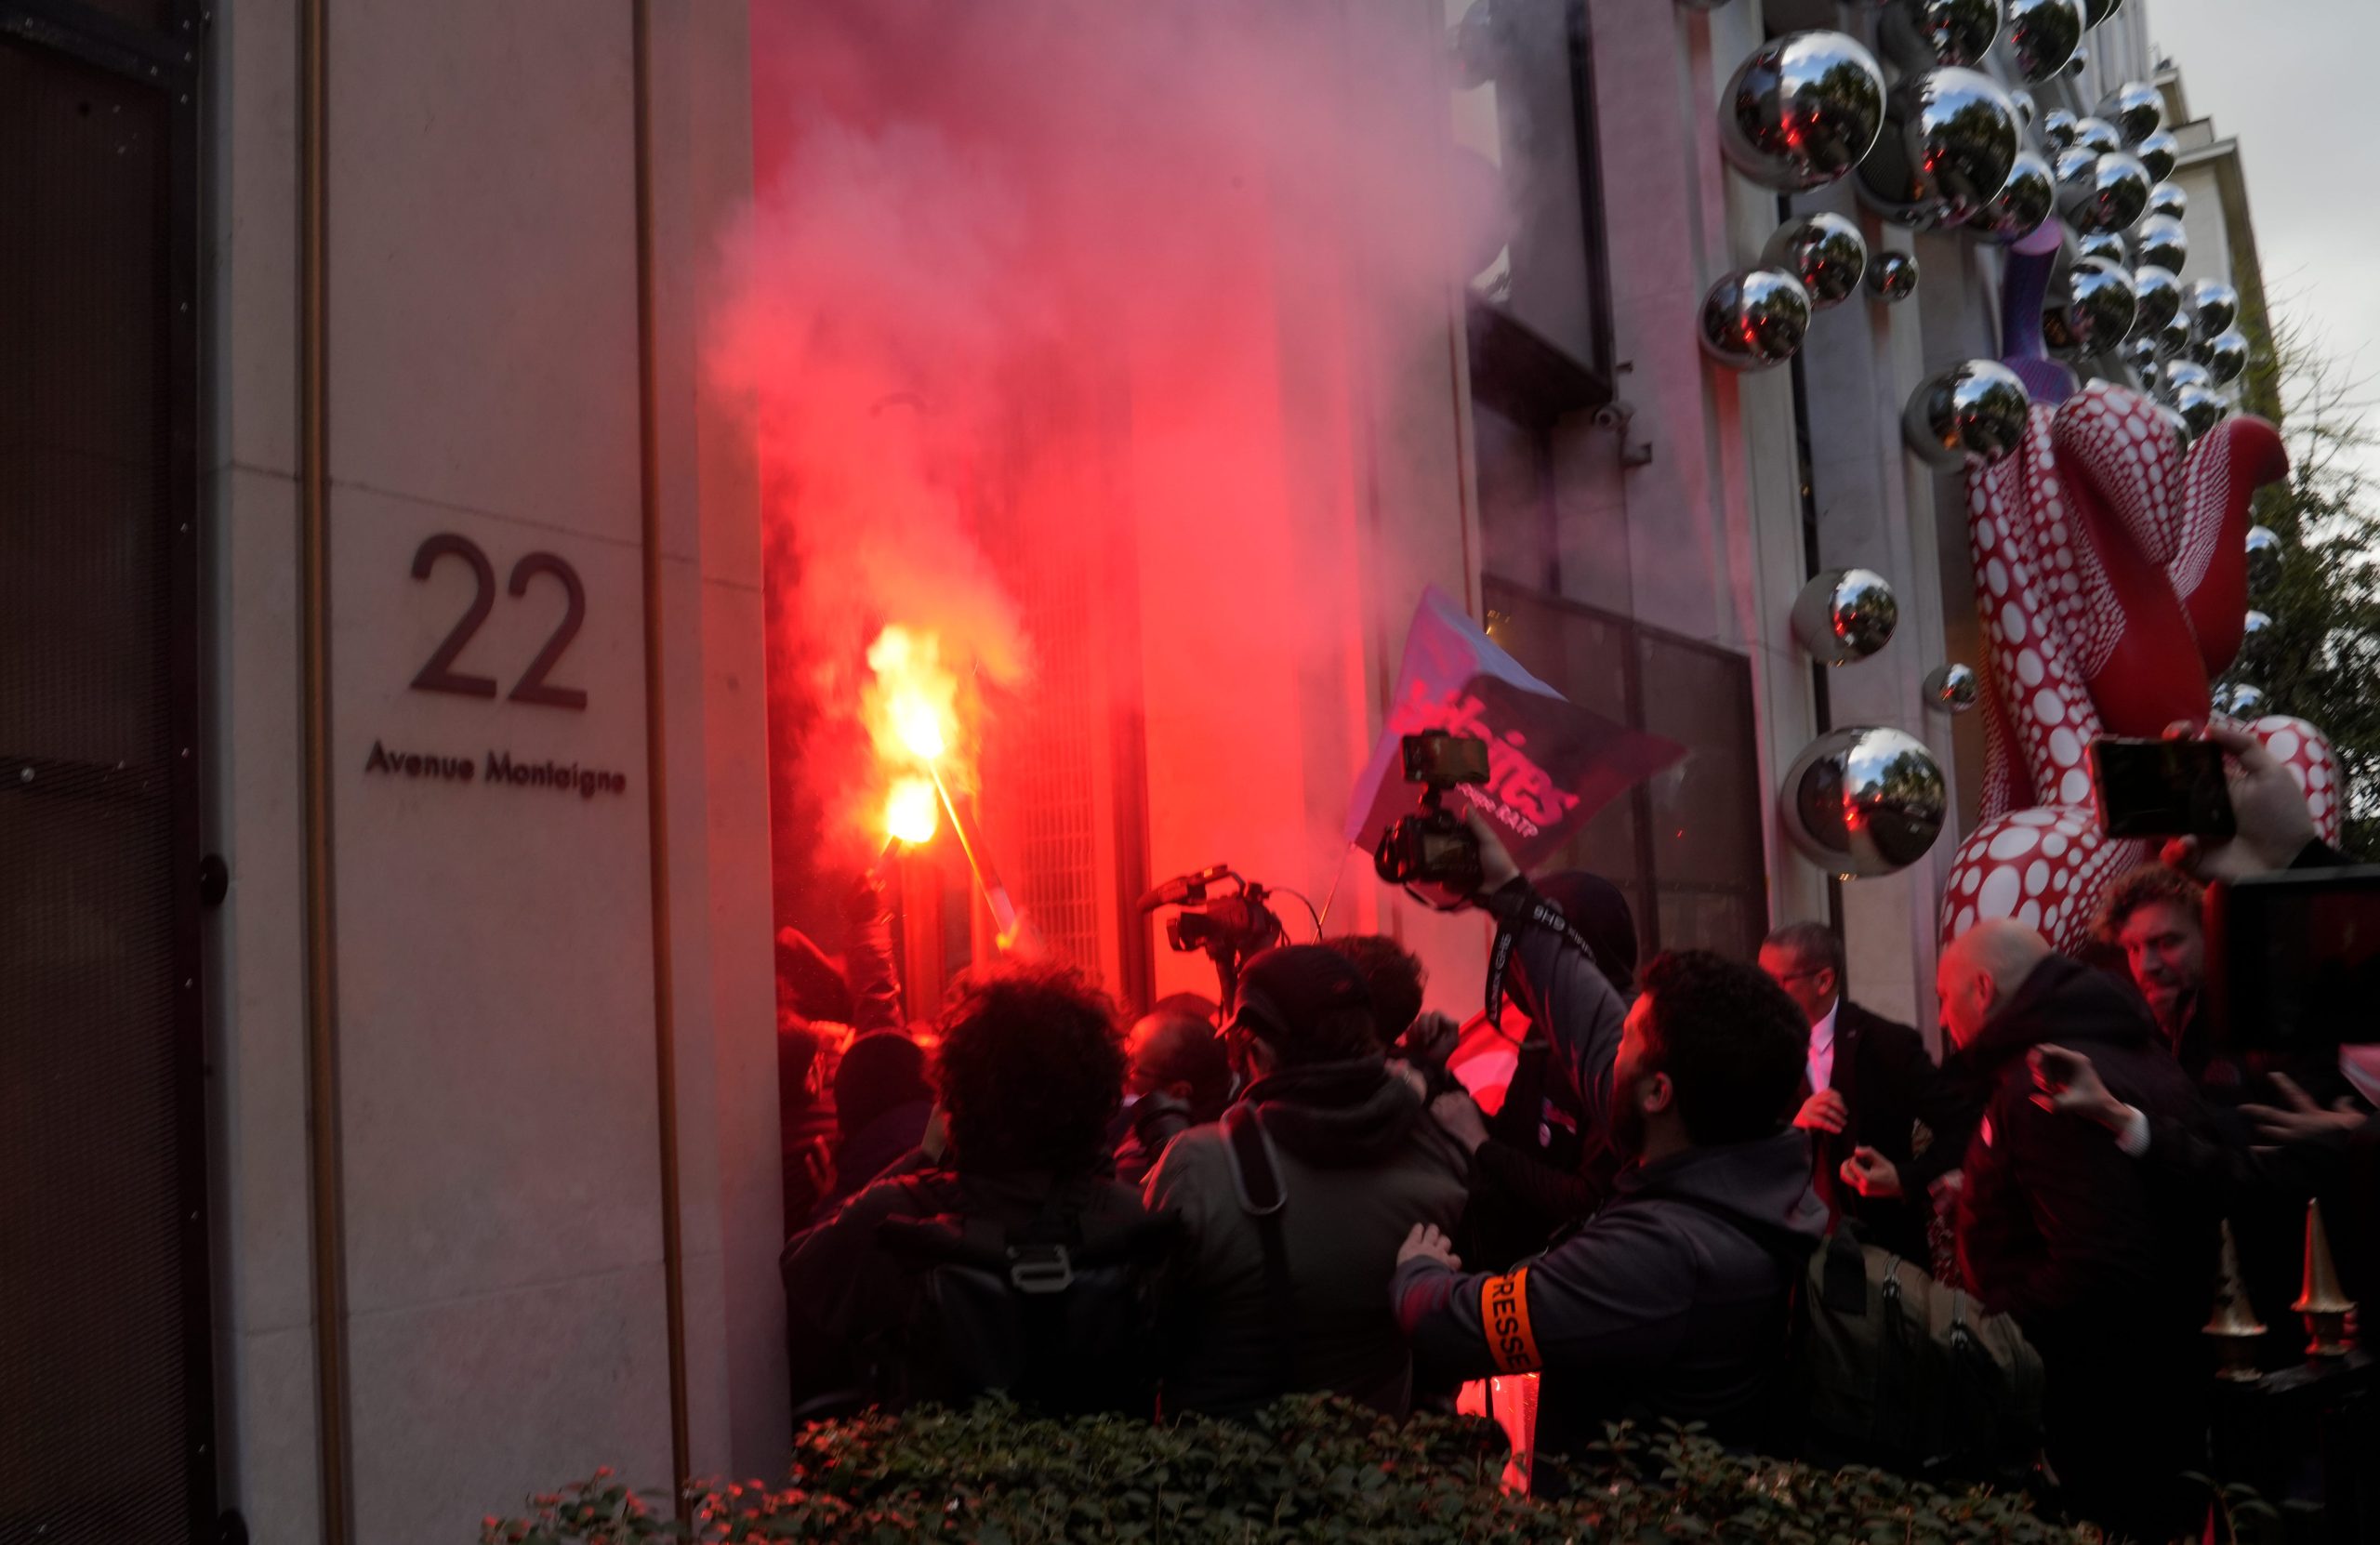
1058, 1315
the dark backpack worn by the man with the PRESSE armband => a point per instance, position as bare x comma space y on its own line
1910, 1375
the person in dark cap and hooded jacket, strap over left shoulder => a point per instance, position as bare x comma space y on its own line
1270, 1301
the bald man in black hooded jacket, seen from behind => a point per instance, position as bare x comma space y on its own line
2107, 1275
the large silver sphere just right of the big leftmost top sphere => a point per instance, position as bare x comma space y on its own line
1948, 149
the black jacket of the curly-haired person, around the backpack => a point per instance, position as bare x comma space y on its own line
848, 1301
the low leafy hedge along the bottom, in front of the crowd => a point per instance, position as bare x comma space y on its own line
1310, 1470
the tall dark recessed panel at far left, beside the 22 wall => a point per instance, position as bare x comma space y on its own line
106, 1375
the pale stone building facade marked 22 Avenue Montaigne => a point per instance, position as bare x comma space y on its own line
387, 718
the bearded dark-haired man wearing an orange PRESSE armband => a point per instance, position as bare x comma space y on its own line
1674, 1301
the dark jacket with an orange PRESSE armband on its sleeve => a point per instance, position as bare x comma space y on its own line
1670, 1303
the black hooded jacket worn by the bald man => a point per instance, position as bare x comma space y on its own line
2055, 1225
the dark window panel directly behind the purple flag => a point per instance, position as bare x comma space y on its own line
1686, 846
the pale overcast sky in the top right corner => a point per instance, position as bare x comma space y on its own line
2298, 85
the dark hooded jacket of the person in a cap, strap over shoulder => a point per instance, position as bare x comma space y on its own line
1363, 1163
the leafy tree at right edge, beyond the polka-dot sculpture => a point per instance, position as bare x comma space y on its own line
2322, 656
